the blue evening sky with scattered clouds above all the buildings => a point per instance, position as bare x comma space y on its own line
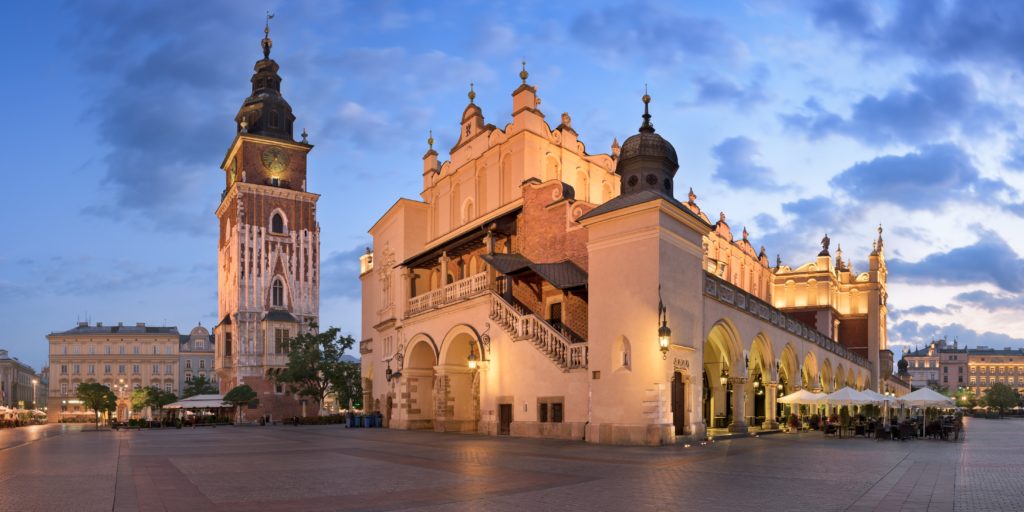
795, 118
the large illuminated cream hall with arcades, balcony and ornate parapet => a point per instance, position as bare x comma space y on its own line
537, 289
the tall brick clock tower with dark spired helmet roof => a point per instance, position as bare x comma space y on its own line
269, 252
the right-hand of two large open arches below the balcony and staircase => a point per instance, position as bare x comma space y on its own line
458, 400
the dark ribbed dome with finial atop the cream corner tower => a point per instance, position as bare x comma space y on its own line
647, 161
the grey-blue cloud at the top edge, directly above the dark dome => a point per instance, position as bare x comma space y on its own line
657, 35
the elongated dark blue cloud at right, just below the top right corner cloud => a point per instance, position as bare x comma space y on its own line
934, 108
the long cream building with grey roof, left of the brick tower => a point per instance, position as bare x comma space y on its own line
123, 358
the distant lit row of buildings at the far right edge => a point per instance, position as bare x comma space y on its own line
945, 365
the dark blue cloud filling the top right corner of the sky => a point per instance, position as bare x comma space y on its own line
940, 32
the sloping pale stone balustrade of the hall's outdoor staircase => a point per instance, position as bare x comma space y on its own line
526, 326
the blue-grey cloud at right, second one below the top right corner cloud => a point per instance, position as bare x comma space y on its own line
922, 181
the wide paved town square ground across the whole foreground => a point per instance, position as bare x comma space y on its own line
332, 468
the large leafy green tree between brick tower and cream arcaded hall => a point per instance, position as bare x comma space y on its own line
315, 362
